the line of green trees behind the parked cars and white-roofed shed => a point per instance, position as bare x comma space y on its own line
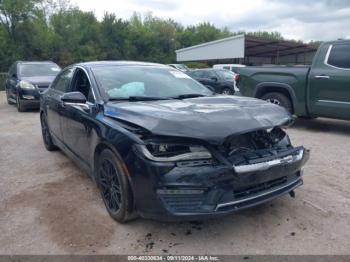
61, 32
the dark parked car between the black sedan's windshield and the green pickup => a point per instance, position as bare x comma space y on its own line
219, 80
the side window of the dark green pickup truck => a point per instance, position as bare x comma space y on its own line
340, 56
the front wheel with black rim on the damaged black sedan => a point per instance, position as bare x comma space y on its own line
114, 187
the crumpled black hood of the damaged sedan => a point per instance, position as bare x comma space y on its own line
212, 119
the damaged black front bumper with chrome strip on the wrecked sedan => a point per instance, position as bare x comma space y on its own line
198, 190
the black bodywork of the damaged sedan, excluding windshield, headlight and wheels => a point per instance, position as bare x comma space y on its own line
178, 190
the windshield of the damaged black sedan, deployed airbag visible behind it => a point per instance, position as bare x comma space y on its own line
123, 82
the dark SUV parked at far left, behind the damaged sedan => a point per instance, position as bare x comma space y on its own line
26, 80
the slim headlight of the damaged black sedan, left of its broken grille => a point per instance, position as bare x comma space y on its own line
173, 152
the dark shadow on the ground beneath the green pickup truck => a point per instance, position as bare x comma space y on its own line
341, 127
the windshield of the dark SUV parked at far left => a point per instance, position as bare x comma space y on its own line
31, 70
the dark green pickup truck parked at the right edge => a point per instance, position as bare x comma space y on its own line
322, 89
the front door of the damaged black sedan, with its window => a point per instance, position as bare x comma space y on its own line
77, 119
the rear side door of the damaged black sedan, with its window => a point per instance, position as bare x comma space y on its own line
54, 104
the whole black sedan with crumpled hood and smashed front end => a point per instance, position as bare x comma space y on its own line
163, 146
